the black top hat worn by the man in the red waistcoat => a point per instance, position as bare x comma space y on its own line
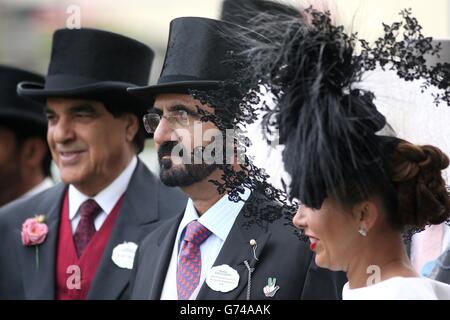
94, 64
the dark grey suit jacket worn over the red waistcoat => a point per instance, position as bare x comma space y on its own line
146, 203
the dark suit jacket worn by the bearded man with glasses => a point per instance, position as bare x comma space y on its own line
281, 255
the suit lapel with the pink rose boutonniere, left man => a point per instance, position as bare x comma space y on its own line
40, 283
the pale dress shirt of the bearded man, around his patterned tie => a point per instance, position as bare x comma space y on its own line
219, 219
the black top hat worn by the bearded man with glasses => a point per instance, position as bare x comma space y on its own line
197, 58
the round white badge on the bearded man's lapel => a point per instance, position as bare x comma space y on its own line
222, 278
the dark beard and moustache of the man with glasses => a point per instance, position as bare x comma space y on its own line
182, 175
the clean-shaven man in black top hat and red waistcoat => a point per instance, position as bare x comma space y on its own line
77, 240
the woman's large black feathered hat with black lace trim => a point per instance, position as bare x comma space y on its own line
329, 125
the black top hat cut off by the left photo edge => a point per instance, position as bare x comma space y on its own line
13, 107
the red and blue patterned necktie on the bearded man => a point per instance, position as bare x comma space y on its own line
190, 260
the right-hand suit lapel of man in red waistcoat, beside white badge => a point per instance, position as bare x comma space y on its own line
140, 207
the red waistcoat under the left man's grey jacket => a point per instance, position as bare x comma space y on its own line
74, 275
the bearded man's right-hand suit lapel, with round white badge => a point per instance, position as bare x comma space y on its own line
235, 251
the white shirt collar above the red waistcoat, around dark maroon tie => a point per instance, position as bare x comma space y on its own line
106, 199
